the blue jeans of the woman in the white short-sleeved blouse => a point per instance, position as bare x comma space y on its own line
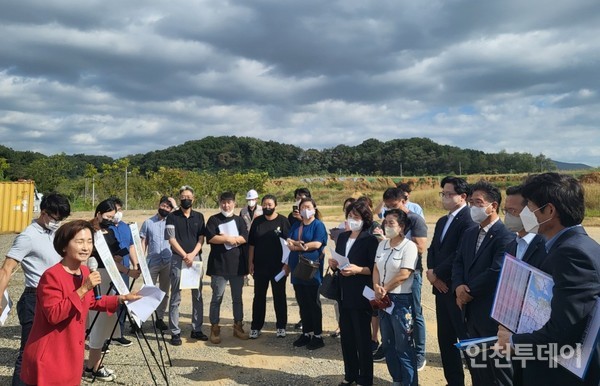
396, 337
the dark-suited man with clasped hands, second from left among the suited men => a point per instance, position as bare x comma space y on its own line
475, 274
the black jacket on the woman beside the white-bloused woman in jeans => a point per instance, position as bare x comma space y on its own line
362, 253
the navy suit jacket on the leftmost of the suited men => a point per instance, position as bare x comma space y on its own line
441, 253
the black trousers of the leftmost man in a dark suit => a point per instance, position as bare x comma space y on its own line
450, 328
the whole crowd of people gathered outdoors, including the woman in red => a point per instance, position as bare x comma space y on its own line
384, 247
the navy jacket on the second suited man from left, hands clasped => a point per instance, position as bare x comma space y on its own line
480, 271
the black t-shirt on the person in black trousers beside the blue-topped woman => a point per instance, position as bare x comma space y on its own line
264, 236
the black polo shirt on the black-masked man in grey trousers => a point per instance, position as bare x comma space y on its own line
187, 229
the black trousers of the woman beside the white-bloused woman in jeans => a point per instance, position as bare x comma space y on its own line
355, 335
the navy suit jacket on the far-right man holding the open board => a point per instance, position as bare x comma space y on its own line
574, 262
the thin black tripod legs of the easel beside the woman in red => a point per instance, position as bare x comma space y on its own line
137, 331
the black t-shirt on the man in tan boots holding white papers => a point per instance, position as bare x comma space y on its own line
223, 261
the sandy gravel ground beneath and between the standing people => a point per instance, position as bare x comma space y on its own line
267, 360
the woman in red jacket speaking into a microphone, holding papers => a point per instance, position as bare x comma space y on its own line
54, 352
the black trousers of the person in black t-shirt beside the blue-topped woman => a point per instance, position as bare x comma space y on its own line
259, 304
